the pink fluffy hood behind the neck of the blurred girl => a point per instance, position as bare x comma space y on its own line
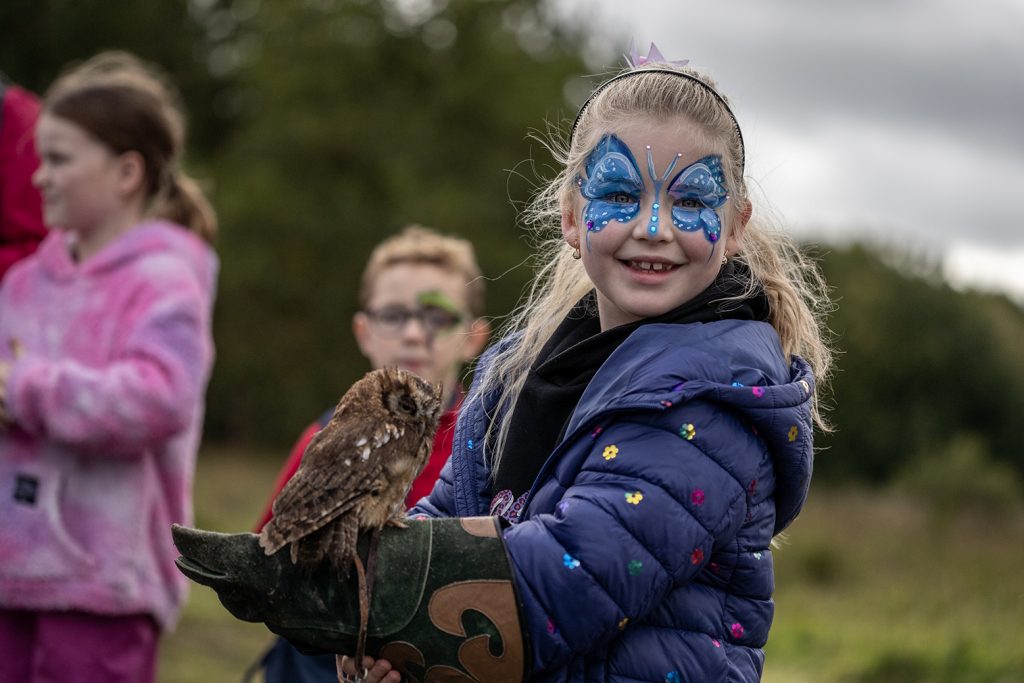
148, 238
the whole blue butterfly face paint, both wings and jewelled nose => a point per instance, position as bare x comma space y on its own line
615, 185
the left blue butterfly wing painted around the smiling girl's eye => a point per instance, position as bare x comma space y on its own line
613, 186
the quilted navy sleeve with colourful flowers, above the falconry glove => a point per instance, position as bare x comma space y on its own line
644, 515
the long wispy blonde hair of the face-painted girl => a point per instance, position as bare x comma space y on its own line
795, 288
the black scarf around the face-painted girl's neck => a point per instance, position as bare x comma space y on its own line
573, 356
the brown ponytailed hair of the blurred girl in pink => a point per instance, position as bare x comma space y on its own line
132, 106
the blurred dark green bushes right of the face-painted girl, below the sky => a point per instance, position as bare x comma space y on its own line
921, 367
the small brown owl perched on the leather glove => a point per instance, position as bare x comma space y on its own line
357, 473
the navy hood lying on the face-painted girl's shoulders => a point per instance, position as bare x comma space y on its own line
739, 364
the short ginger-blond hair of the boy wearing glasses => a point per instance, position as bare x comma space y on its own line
418, 245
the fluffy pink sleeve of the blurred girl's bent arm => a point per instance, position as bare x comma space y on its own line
149, 392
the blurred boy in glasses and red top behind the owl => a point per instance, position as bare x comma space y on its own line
421, 308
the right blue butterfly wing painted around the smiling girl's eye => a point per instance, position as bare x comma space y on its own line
696, 194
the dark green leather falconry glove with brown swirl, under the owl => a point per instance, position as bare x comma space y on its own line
443, 608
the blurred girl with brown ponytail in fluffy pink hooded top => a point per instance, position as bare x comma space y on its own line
105, 354
